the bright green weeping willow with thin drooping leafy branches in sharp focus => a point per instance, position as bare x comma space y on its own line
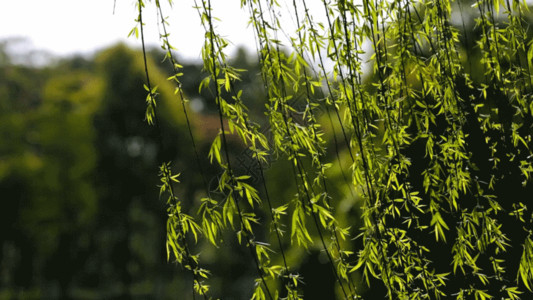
431, 114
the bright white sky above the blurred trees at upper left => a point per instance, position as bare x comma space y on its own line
66, 27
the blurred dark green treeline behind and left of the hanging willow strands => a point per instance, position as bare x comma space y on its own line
80, 213
